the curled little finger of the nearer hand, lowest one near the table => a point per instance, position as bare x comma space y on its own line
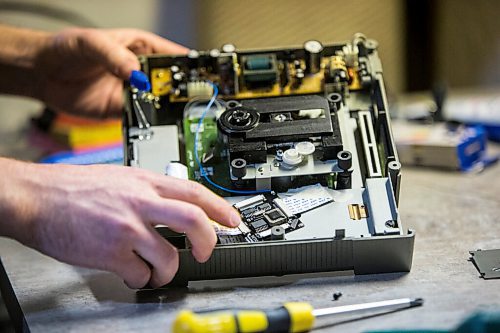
133, 270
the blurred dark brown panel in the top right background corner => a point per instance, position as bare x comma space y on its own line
467, 46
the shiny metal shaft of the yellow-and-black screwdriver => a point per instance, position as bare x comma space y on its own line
383, 305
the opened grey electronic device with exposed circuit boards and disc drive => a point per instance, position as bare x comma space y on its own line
298, 139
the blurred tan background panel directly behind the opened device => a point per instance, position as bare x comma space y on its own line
263, 23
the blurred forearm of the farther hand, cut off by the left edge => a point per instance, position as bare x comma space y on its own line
18, 57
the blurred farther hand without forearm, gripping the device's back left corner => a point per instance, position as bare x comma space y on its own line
81, 71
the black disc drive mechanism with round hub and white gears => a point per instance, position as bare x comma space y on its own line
303, 130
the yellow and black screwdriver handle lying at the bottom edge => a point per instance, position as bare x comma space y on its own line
291, 317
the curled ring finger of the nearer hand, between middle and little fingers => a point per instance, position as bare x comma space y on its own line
161, 255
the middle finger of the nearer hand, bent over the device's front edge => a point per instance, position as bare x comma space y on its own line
185, 218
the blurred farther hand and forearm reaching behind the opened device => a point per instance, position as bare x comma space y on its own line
77, 70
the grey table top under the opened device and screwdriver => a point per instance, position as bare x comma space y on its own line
452, 214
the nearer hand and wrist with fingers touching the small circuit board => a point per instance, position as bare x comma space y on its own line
104, 216
